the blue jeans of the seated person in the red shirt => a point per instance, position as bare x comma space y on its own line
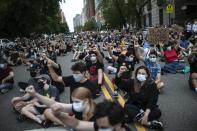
173, 67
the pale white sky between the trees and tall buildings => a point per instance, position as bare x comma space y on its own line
70, 9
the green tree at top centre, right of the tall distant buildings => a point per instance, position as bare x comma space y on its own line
119, 13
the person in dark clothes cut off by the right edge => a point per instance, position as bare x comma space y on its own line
193, 69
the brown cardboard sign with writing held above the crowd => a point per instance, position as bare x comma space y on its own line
157, 35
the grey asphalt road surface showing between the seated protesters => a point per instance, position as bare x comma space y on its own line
177, 102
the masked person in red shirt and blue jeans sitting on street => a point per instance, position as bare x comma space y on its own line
172, 64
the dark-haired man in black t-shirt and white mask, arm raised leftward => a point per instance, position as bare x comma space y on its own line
78, 79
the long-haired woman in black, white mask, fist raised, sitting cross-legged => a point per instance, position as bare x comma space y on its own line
143, 96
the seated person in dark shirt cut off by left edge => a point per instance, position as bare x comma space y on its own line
6, 76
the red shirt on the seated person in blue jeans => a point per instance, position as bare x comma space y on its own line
170, 55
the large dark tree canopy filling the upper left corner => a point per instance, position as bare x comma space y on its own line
22, 17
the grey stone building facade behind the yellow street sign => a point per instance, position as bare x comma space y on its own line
155, 12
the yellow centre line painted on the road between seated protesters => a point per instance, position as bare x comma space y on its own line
122, 101
